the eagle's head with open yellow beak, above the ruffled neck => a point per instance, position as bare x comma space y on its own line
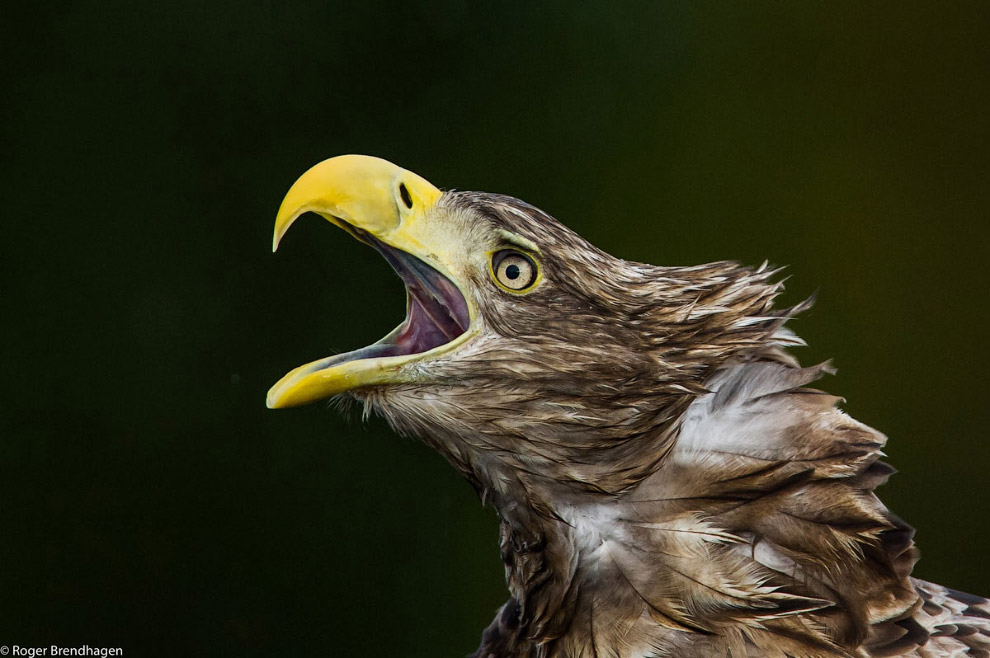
527, 354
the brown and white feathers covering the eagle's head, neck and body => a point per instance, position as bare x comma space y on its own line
667, 482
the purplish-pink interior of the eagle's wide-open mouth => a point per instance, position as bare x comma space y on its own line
436, 312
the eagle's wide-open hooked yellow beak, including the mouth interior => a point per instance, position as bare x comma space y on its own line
388, 208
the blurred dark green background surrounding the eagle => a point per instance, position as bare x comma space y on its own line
148, 500
